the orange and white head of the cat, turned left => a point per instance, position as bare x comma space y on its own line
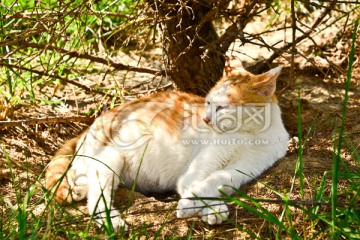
241, 101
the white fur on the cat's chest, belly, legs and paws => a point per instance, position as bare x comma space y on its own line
164, 162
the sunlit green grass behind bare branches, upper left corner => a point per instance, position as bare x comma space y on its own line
30, 73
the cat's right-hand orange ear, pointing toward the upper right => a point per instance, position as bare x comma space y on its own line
266, 84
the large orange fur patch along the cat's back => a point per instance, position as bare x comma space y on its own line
163, 111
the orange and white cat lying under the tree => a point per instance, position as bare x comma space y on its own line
175, 141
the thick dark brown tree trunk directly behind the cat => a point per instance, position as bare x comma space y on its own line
187, 30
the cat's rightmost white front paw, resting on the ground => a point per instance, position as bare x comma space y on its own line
215, 212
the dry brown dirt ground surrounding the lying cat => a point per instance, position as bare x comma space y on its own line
28, 149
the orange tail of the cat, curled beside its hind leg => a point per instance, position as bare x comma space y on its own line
56, 179
